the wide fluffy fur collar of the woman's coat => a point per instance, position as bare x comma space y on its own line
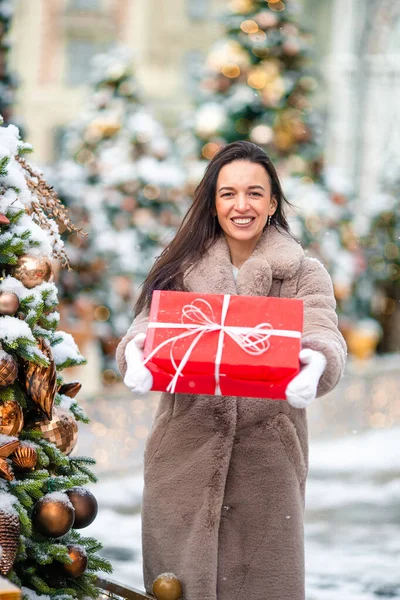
276, 256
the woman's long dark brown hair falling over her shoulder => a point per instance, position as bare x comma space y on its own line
199, 228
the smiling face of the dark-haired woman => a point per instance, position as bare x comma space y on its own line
243, 200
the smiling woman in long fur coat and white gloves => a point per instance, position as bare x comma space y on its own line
225, 477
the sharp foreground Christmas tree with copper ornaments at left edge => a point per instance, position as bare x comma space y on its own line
43, 501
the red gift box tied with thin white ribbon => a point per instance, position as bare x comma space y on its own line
223, 345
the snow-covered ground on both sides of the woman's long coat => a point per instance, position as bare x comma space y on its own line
352, 519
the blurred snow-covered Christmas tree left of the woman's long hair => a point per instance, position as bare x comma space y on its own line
119, 177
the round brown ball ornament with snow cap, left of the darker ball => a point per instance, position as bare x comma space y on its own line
53, 515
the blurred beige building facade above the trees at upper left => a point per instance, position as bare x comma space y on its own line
53, 43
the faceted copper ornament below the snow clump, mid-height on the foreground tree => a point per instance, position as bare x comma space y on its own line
61, 430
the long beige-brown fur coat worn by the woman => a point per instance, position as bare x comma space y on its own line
225, 477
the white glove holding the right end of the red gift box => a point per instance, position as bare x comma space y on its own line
302, 390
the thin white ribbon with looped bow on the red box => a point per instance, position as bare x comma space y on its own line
197, 319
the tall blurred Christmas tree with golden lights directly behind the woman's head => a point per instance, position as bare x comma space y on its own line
257, 84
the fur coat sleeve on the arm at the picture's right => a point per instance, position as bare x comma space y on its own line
320, 330
